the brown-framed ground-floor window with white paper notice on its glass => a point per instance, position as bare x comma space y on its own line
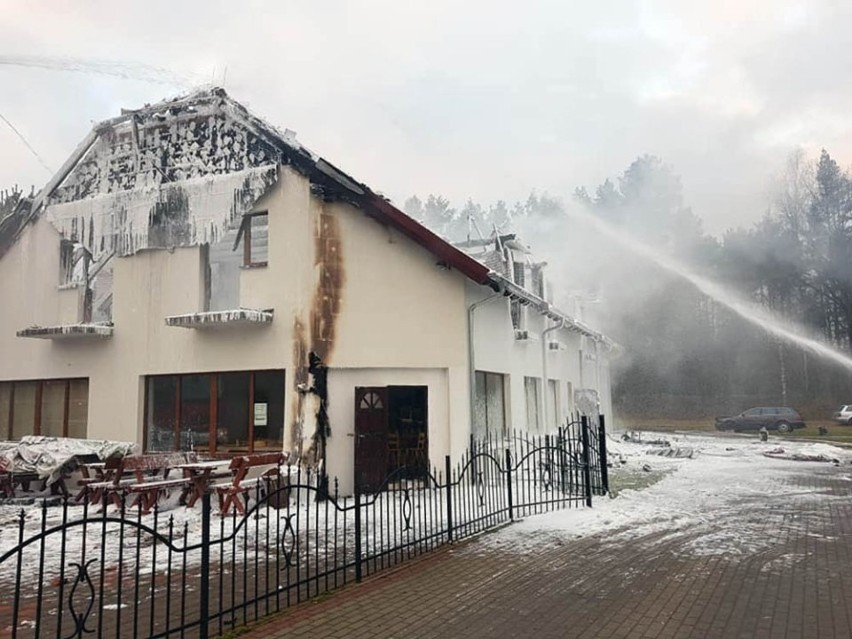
232, 412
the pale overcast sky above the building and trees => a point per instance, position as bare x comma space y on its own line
487, 100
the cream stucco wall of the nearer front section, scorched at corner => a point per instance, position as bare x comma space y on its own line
388, 317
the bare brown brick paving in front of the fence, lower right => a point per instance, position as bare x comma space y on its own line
795, 583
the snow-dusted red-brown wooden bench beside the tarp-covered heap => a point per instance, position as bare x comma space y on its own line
143, 476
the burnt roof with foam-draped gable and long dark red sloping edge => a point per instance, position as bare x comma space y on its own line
184, 171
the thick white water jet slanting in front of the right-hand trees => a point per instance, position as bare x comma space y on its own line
747, 310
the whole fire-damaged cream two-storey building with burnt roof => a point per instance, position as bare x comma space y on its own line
194, 278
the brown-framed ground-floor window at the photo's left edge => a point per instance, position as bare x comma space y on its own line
50, 407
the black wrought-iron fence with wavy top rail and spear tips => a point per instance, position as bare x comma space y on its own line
73, 572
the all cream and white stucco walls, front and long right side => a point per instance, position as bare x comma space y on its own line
397, 318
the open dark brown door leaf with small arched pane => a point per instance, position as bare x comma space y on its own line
371, 438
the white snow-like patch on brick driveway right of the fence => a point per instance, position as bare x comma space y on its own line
729, 498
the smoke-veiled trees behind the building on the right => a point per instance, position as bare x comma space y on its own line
686, 355
